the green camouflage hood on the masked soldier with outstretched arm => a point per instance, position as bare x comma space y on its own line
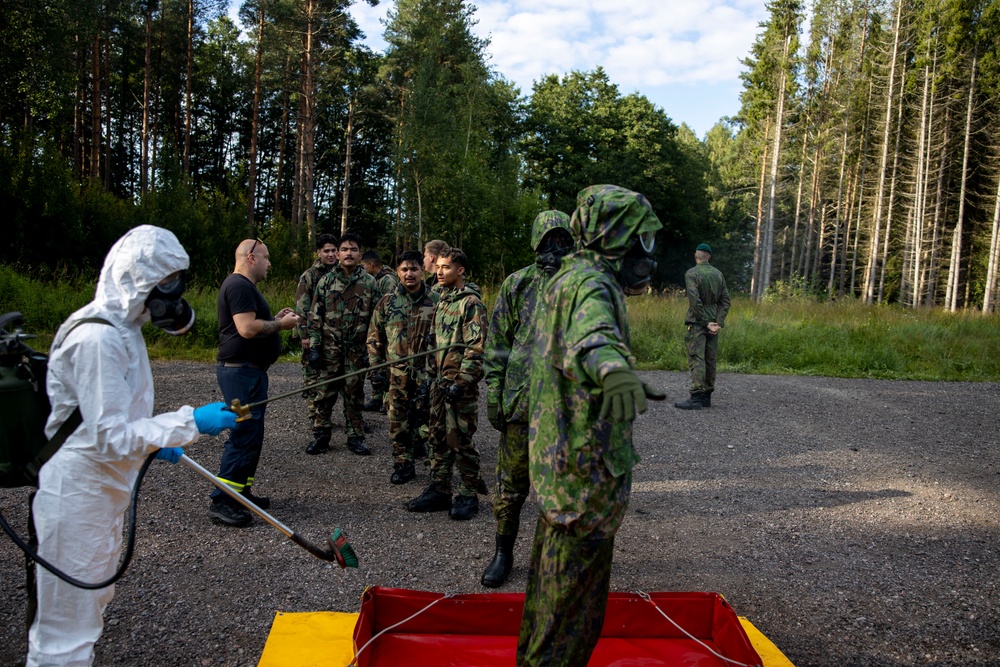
609, 219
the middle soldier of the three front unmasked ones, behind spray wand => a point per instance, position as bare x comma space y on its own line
402, 326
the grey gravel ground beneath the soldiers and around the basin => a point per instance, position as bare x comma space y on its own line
854, 522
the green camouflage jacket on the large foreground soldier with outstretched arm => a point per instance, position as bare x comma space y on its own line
576, 459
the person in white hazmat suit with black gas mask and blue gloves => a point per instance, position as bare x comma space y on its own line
84, 489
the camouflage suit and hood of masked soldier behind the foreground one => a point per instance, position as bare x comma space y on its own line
507, 365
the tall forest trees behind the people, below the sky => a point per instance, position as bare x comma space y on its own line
863, 162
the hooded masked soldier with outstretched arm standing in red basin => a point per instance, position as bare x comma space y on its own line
583, 396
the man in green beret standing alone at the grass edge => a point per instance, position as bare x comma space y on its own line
708, 305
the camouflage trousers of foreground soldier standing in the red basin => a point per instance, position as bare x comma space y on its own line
565, 600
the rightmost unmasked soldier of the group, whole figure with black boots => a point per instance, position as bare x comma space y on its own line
460, 318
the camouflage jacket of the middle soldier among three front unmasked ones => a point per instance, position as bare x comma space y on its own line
400, 326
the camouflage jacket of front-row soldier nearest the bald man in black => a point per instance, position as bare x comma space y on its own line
340, 316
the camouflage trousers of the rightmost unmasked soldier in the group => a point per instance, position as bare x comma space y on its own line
451, 429
